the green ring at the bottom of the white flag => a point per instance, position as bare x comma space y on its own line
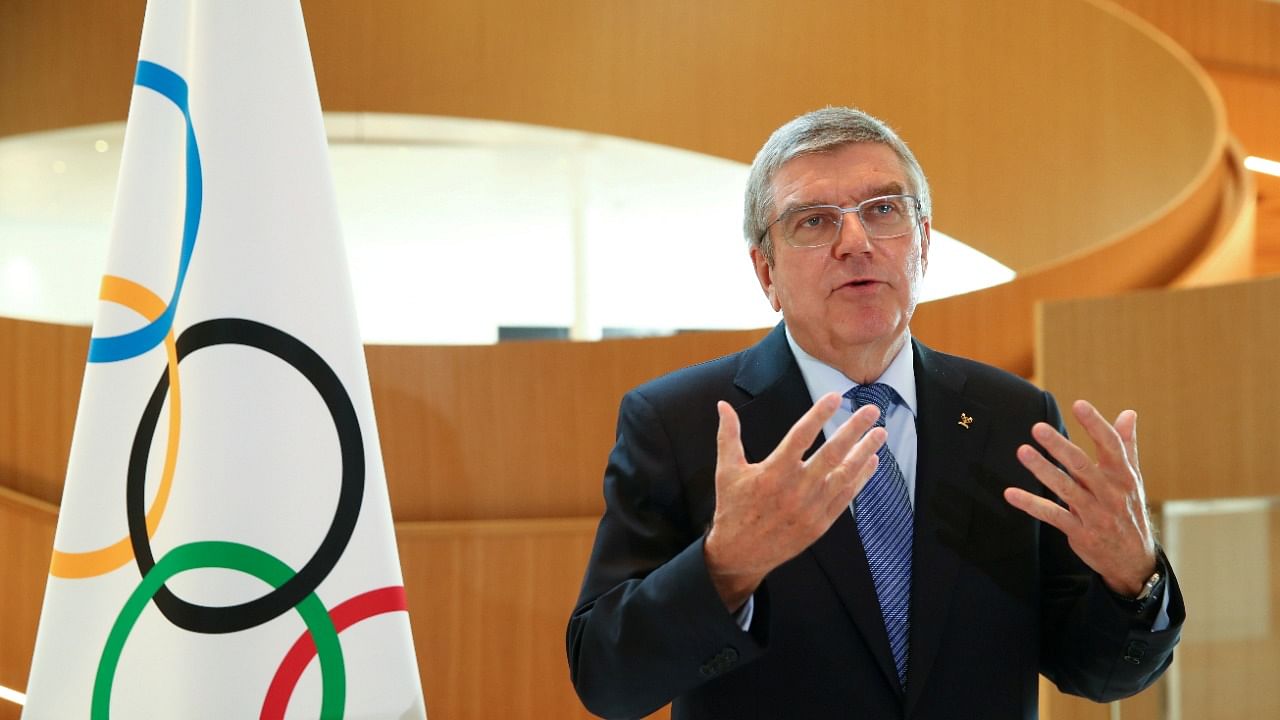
231, 557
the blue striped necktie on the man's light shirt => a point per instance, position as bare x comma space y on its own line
884, 514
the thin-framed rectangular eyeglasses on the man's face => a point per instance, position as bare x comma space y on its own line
817, 226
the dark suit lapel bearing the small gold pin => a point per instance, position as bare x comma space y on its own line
949, 448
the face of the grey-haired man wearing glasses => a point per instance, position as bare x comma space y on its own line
858, 294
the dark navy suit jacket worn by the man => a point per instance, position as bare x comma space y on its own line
996, 598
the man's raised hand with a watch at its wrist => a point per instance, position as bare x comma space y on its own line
1105, 520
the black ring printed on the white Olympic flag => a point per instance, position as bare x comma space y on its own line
235, 618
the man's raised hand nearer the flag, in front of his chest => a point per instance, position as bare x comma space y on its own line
767, 513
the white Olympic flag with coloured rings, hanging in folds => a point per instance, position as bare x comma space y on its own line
225, 546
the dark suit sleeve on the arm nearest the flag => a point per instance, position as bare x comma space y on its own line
648, 625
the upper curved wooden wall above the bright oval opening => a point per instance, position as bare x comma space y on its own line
1076, 84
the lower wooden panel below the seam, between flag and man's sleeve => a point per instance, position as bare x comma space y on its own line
490, 603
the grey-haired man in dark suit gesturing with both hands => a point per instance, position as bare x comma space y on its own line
840, 522
